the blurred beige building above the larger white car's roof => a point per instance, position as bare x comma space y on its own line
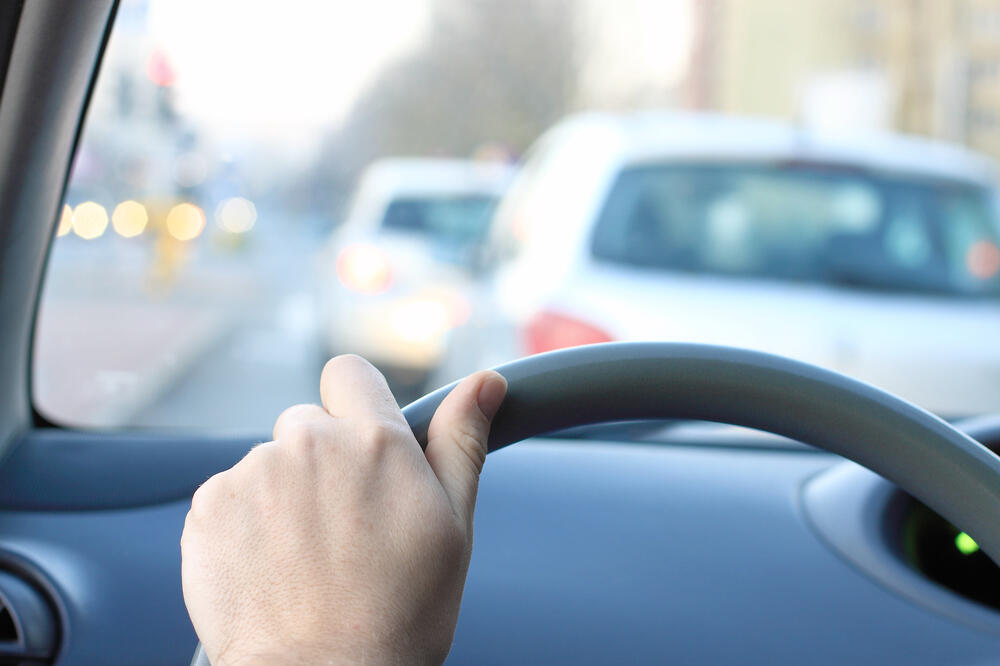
928, 67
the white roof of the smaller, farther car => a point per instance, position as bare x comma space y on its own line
414, 175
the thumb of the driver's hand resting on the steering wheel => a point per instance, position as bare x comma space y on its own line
456, 437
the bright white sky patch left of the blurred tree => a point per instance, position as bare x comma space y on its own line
243, 64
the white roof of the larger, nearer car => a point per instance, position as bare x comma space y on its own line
654, 135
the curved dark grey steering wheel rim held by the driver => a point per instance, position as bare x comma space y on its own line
944, 468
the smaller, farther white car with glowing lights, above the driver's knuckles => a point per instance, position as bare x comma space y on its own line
394, 277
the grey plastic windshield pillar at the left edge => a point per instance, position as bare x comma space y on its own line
46, 87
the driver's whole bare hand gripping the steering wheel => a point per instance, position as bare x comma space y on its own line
341, 541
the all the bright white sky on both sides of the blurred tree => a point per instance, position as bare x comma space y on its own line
285, 71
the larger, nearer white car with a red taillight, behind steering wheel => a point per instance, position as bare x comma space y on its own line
856, 253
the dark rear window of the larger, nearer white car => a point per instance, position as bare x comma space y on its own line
804, 223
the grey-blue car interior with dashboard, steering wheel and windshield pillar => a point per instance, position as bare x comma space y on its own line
810, 519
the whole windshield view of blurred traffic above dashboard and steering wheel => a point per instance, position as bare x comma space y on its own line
442, 185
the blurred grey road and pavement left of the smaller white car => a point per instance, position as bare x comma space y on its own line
224, 344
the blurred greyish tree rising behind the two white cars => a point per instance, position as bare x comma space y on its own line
488, 71
